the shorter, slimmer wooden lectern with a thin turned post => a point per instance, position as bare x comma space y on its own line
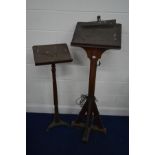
52, 54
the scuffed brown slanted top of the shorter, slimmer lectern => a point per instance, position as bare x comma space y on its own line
51, 54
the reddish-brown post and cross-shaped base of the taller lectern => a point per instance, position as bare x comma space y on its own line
88, 117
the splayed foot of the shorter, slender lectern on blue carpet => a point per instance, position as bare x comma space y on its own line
57, 122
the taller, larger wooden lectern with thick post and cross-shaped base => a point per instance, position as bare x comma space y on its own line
95, 38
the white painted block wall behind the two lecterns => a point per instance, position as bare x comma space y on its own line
54, 21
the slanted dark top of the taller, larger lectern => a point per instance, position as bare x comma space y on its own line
99, 34
